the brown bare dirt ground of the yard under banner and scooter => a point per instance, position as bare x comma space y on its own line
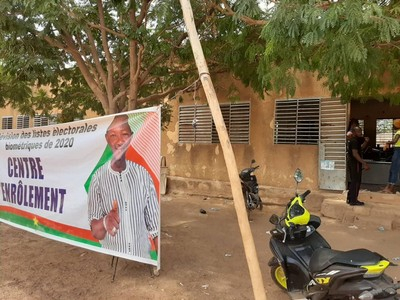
202, 257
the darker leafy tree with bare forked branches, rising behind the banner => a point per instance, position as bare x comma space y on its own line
52, 43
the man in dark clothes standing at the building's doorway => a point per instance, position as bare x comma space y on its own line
355, 165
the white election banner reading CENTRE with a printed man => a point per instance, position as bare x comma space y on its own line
92, 183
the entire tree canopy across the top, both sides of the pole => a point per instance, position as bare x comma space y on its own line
114, 55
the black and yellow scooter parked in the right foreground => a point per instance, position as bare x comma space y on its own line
307, 268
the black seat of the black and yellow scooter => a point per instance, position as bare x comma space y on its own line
322, 258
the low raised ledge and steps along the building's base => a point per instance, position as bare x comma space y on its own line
380, 210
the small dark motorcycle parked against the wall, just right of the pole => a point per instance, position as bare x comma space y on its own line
250, 188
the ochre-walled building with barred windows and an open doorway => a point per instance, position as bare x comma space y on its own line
307, 131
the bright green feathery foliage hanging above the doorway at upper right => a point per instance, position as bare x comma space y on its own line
353, 46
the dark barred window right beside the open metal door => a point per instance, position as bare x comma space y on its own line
297, 121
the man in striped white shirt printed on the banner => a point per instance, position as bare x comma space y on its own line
123, 206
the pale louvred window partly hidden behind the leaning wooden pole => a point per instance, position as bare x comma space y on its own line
196, 125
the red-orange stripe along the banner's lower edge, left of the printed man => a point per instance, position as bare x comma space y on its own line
78, 232
